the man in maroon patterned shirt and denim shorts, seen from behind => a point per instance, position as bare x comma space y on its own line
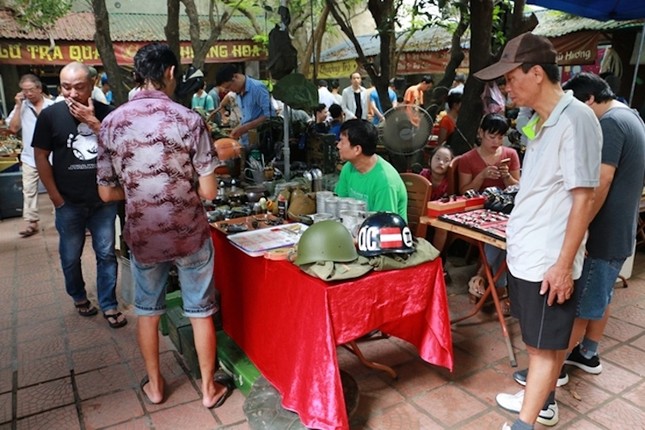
156, 154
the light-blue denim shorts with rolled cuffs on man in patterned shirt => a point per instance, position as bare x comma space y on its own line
195, 278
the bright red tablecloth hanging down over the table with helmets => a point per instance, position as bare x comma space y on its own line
289, 323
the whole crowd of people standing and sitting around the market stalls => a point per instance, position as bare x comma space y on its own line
583, 172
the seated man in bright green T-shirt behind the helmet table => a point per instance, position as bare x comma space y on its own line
366, 176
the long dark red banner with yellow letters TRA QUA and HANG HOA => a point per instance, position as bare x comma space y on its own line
39, 52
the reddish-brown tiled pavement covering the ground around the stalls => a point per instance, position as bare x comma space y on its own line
61, 371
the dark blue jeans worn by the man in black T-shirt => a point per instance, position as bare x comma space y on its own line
71, 222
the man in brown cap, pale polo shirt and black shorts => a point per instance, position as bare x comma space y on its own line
547, 228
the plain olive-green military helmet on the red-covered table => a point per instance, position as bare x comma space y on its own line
326, 241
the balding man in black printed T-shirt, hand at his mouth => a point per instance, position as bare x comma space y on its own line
68, 131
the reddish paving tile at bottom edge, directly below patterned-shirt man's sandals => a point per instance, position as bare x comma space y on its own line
192, 416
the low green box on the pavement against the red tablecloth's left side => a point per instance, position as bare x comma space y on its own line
233, 360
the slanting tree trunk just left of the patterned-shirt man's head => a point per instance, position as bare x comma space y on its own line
104, 45
